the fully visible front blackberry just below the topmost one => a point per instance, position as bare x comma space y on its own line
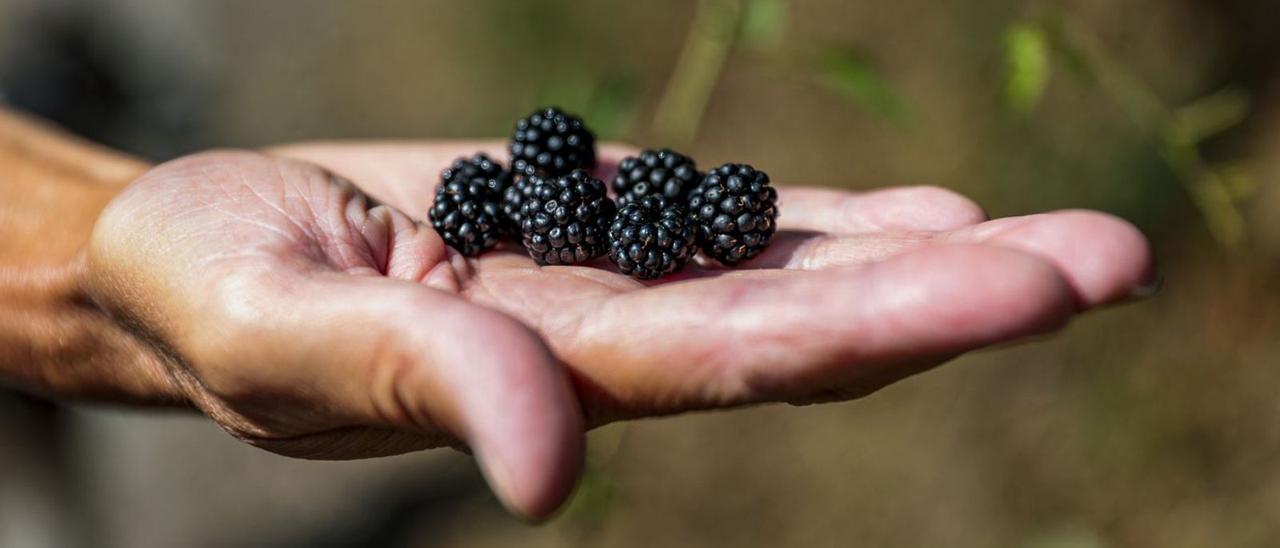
566, 220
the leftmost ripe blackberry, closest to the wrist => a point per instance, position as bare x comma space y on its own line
467, 216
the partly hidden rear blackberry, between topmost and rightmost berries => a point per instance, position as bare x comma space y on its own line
656, 173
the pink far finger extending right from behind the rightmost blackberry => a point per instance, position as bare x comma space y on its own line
894, 209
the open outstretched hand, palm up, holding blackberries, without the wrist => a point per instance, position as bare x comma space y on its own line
309, 322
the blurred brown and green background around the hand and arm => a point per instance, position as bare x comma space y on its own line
1154, 424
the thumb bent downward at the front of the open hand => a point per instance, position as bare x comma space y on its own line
474, 372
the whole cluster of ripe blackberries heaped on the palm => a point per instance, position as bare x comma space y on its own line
666, 209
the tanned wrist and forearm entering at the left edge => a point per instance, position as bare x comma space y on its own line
54, 341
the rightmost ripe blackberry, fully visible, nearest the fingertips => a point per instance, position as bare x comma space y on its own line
737, 212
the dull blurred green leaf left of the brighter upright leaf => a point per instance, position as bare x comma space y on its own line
852, 75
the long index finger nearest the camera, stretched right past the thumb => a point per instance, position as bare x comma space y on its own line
739, 340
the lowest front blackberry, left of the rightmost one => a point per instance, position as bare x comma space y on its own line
651, 239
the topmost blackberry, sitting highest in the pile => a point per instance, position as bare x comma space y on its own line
552, 143
